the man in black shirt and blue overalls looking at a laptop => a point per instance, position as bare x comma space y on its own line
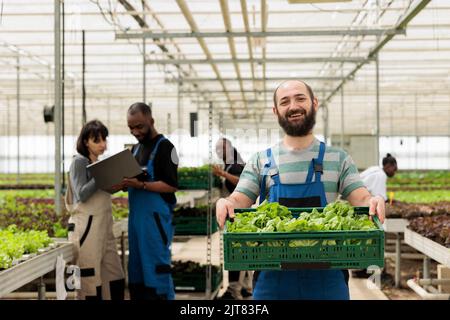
151, 202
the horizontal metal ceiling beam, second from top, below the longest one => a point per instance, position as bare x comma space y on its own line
261, 60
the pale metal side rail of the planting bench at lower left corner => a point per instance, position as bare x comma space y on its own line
19, 275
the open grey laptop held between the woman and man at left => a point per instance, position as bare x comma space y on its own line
111, 170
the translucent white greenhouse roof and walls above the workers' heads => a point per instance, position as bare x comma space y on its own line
233, 53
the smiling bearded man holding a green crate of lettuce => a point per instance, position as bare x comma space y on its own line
299, 171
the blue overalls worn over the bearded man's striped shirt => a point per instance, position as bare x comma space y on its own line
309, 284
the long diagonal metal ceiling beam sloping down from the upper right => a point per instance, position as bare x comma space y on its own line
374, 51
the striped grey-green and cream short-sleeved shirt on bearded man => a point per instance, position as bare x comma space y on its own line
340, 175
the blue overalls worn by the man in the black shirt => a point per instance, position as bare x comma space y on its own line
150, 234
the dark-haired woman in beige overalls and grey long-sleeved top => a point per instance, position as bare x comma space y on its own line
91, 222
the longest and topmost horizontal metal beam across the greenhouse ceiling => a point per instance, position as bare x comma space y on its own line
259, 34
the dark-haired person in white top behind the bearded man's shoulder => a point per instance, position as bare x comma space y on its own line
375, 178
